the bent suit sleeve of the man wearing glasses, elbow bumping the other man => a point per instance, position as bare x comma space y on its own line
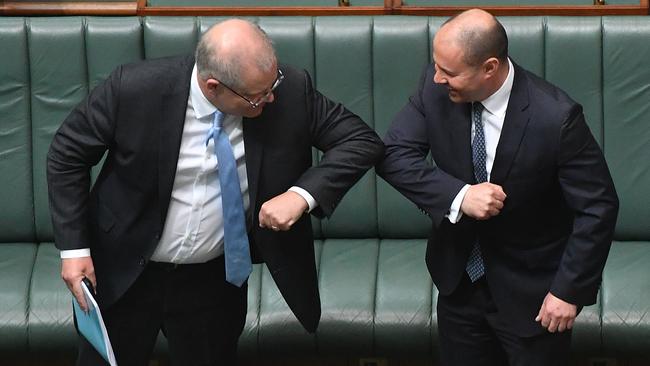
349, 149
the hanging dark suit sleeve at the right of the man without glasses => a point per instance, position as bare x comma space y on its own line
589, 191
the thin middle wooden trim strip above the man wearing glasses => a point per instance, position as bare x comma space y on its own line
264, 11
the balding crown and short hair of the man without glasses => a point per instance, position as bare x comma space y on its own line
478, 33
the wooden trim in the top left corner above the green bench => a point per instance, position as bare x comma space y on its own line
69, 8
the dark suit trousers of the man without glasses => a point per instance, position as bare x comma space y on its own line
472, 334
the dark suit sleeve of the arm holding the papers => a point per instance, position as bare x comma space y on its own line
78, 145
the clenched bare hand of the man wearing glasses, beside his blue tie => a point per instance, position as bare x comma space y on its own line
282, 211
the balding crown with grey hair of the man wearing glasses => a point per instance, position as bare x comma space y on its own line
231, 48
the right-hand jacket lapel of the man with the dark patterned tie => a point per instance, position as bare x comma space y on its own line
514, 127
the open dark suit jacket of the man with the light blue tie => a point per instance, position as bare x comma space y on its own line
137, 115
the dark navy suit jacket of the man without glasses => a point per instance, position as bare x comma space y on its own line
556, 227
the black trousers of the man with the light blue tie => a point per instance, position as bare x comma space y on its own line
200, 314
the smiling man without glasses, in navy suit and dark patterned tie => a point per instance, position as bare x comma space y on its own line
522, 203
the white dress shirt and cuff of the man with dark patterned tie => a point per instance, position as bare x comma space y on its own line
493, 116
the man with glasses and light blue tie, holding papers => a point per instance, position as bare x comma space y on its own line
150, 233
